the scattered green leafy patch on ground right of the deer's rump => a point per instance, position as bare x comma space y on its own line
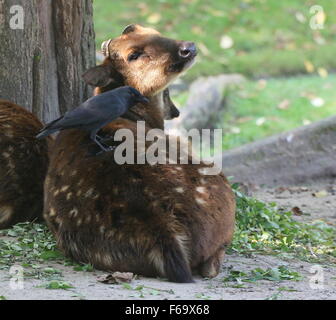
264, 228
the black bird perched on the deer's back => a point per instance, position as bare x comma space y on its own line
96, 112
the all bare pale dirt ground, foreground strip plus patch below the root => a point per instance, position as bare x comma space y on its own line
315, 203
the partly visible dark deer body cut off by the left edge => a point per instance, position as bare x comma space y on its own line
23, 165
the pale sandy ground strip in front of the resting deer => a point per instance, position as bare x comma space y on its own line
86, 285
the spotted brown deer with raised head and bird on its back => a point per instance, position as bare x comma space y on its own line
155, 220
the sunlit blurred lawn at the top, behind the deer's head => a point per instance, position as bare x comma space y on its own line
269, 38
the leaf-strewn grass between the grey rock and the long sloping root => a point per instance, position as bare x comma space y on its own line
259, 109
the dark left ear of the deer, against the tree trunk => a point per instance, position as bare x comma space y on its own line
102, 76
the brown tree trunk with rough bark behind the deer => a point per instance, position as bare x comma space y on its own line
43, 57
